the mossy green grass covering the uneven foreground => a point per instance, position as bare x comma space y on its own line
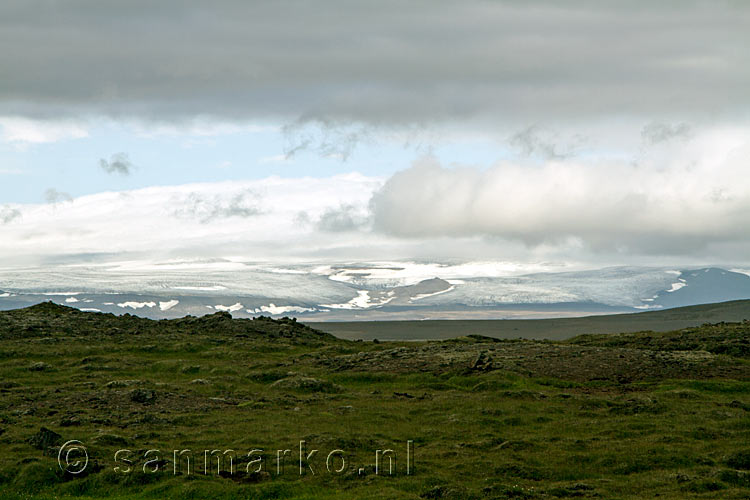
512, 431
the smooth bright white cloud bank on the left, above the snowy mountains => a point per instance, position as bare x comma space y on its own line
255, 219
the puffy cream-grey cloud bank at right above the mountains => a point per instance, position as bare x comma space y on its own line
610, 206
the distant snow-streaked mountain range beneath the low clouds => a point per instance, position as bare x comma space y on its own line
391, 290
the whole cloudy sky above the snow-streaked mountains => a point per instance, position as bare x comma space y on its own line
584, 133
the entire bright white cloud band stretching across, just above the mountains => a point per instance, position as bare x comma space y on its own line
682, 198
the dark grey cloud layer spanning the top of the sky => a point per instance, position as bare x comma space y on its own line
356, 62
